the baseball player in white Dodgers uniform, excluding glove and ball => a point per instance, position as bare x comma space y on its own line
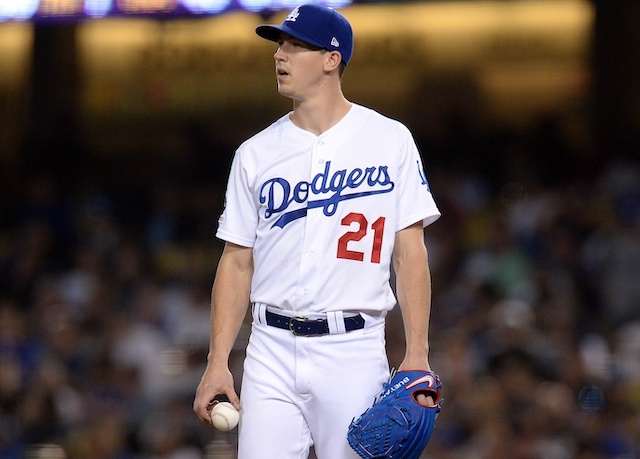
318, 205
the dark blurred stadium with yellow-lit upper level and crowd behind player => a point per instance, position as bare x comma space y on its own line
115, 142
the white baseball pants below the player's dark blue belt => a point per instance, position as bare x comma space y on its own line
302, 391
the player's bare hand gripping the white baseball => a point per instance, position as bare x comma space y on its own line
215, 381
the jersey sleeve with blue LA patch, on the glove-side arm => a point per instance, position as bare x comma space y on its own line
415, 201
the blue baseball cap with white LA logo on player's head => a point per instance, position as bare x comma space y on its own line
316, 25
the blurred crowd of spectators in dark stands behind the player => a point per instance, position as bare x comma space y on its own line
105, 278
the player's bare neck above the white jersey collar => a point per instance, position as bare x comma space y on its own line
318, 116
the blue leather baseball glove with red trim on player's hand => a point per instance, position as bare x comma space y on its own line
397, 426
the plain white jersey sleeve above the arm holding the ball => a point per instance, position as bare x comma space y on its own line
239, 219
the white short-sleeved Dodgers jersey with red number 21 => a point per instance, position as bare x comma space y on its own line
321, 212
